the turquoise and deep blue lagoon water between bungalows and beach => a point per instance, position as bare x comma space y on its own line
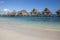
37, 21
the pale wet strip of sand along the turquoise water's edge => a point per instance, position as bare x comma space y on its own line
31, 27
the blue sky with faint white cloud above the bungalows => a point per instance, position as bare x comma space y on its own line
28, 5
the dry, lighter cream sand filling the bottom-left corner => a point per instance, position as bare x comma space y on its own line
12, 35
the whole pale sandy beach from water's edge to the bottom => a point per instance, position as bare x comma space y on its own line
12, 31
